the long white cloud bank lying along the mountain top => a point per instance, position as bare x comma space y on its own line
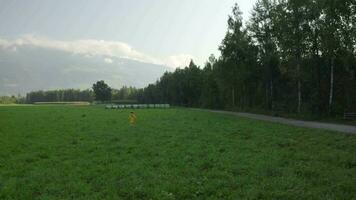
90, 48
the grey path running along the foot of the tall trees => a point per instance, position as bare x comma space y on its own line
308, 124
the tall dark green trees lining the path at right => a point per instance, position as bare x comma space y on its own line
294, 56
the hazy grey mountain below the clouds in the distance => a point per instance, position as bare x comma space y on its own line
27, 68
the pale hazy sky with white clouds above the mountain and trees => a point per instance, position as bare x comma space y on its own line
168, 32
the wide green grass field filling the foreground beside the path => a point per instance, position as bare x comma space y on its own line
87, 152
